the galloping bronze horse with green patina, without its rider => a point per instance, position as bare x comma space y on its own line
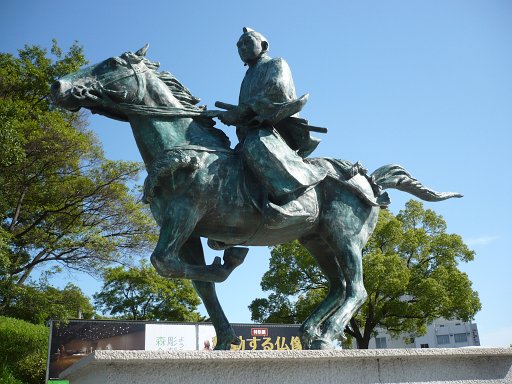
197, 187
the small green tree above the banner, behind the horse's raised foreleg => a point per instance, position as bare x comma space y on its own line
140, 293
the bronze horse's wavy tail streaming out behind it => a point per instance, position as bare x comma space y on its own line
396, 177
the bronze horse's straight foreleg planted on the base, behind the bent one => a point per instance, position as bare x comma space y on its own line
192, 253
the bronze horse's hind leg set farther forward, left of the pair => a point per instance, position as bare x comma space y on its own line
310, 330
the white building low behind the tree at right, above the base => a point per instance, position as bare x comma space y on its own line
440, 334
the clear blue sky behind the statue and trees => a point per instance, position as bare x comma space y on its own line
426, 84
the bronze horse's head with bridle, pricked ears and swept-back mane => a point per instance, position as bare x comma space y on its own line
111, 86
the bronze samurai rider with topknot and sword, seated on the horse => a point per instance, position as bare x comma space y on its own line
272, 139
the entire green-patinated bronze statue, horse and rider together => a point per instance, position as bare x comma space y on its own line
264, 192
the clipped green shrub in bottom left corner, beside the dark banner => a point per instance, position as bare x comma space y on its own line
23, 351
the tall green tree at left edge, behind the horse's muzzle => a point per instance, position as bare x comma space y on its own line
62, 203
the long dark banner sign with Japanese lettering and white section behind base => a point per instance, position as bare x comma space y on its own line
76, 339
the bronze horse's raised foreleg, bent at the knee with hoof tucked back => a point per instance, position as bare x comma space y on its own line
176, 226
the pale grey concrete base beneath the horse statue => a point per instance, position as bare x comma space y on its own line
453, 366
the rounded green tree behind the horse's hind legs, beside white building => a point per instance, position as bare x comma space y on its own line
410, 273
